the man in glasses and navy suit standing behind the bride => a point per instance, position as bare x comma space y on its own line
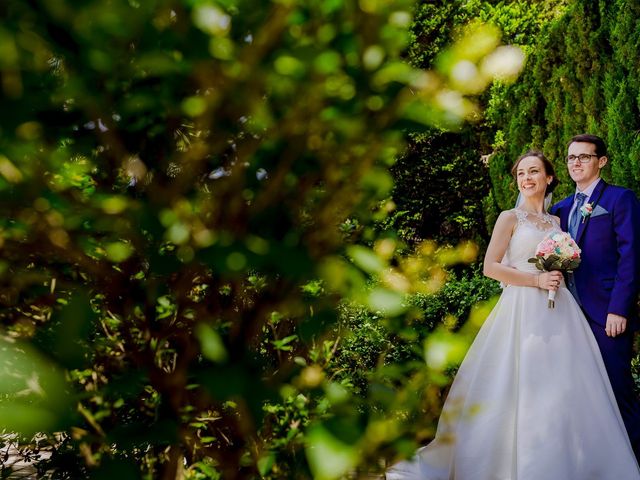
605, 222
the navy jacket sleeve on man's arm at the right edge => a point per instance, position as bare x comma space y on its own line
626, 224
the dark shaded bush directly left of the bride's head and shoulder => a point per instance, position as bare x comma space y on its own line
440, 184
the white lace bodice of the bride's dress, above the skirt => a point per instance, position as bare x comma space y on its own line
530, 229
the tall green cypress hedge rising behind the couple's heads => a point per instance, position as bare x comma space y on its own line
588, 84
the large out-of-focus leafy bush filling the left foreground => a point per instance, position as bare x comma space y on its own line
189, 196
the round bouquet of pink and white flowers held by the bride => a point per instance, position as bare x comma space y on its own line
557, 251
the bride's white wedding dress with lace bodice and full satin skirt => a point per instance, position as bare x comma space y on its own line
532, 400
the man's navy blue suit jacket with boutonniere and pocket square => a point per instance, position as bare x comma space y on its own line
608, 277
